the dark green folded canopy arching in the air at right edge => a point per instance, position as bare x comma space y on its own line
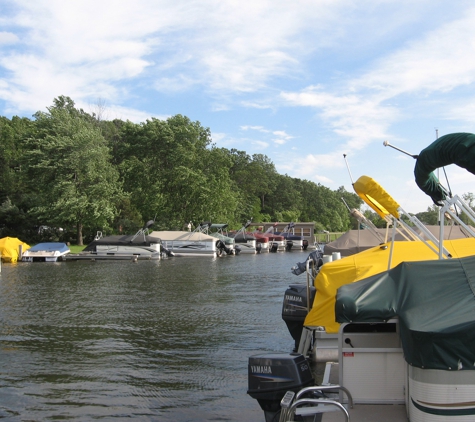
455, 148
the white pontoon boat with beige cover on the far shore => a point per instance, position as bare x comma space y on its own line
191, 244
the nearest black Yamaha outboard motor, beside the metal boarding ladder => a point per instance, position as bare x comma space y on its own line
270, 376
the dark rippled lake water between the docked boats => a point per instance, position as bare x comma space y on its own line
152, 340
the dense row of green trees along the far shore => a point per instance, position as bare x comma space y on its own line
67, 174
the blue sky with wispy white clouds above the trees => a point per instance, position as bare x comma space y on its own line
303, 82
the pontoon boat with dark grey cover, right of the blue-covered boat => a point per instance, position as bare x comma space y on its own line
122, 247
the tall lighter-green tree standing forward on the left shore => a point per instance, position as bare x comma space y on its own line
69, 166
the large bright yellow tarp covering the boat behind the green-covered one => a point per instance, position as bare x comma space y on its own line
373, 261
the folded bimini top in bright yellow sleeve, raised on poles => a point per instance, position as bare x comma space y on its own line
376, 197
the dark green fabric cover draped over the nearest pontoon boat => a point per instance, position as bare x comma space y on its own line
435, 304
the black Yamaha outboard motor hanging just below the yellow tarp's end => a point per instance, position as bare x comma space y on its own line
294, 309
